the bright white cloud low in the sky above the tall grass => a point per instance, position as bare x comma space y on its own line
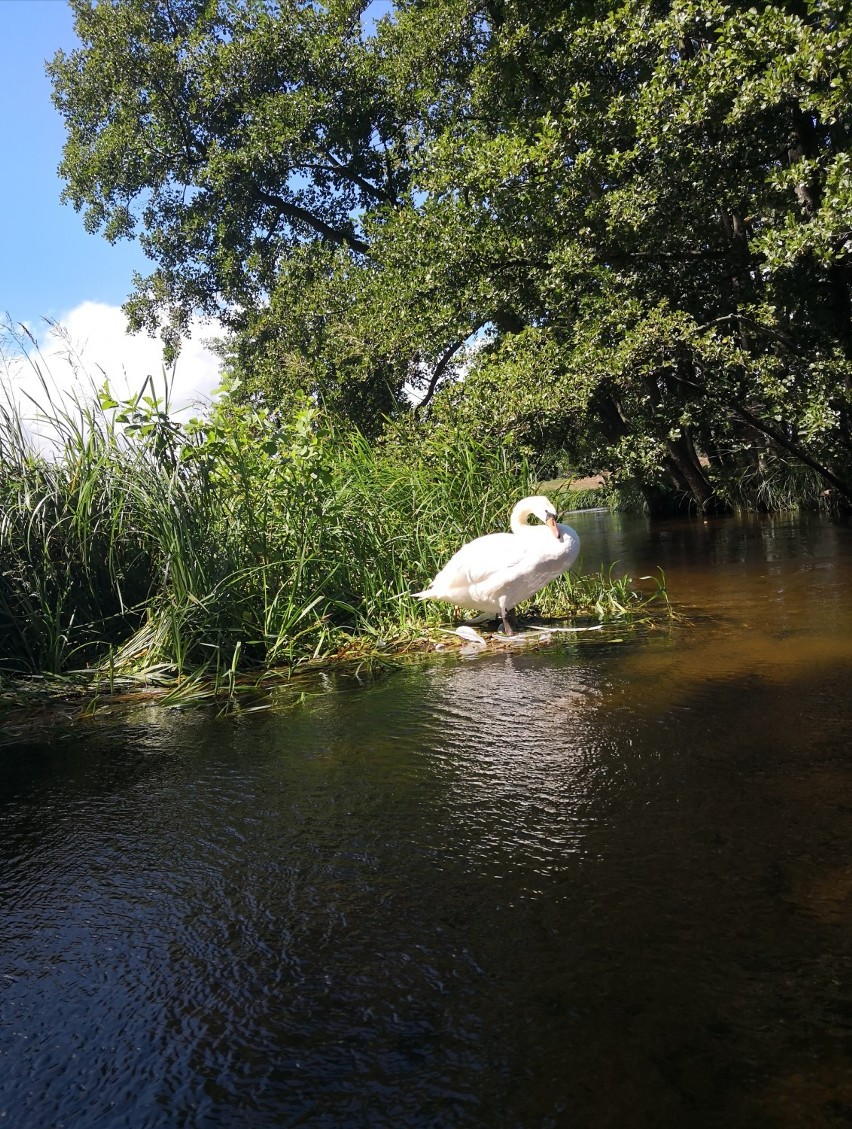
91, 345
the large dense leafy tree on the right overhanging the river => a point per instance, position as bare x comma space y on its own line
663, 197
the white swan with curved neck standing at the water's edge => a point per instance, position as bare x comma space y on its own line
495, 573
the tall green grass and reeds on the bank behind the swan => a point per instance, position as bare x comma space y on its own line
139, 548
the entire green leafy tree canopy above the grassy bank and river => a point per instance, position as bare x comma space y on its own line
619, 232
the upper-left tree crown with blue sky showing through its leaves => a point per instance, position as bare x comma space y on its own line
225, 136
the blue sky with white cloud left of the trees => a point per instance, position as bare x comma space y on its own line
51, 269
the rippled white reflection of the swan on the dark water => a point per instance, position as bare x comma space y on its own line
516, 742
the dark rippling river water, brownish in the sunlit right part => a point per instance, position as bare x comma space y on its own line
603, 885
